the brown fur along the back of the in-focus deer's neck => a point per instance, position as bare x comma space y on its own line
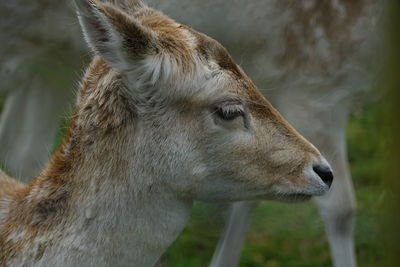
45, 202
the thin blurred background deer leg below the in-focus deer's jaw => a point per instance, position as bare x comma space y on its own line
231, 243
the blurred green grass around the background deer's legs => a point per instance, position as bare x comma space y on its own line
293, 235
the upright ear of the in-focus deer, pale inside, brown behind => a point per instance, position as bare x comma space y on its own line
115, 36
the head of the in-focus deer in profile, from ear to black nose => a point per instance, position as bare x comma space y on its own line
192, 118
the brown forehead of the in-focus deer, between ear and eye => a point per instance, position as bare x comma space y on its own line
188, 47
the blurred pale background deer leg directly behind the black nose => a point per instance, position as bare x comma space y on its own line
325, 128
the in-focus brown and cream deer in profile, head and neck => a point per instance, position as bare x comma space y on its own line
163, 117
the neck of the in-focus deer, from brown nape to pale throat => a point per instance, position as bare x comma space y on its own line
100, 201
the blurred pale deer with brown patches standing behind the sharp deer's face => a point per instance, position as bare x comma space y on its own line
314, 59
